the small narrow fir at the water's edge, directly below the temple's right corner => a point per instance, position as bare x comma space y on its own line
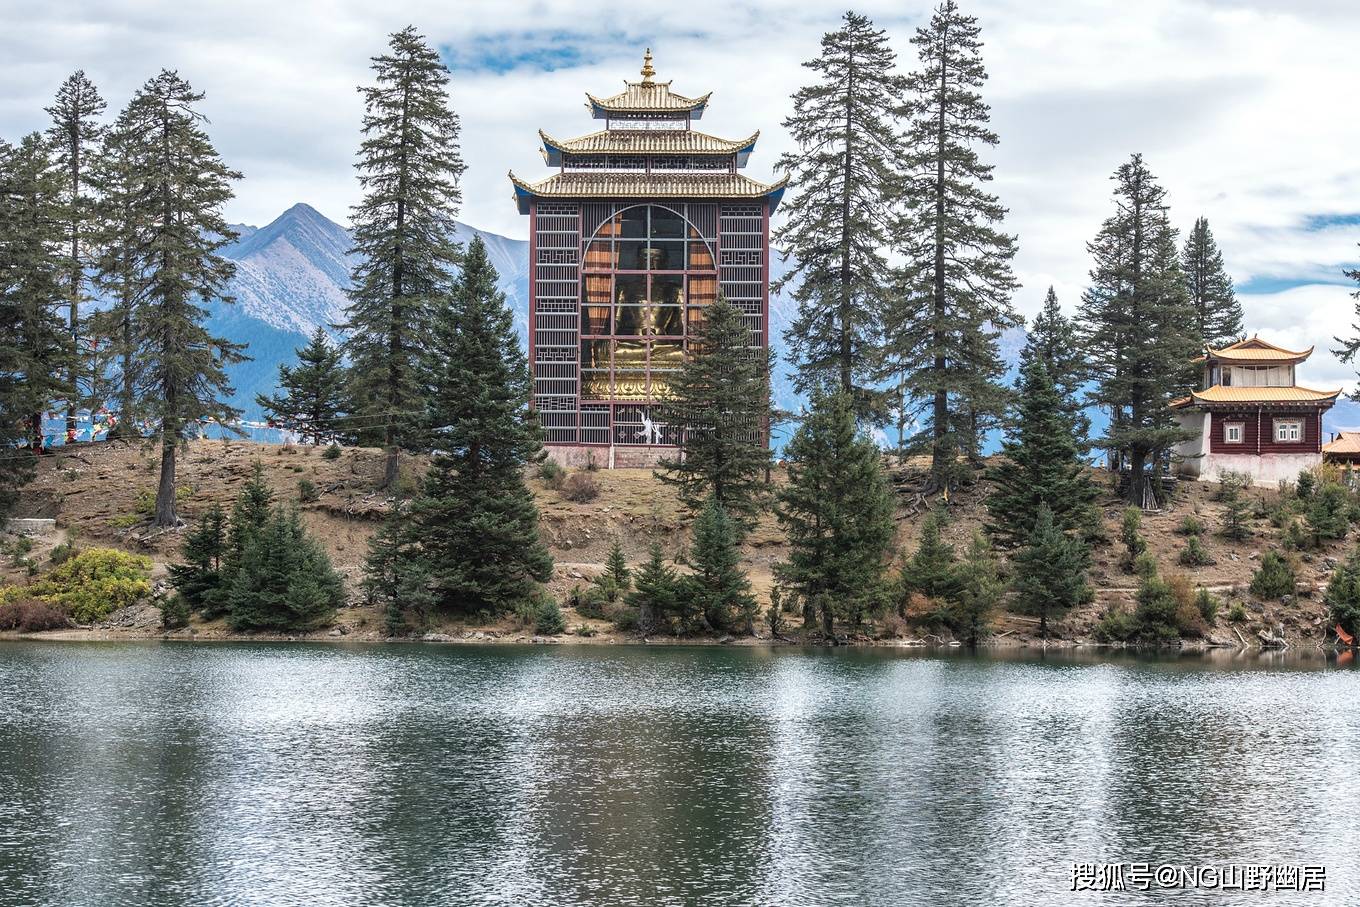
719, 589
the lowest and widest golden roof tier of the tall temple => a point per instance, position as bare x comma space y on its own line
648, 186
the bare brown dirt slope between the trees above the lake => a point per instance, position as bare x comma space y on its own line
100, 494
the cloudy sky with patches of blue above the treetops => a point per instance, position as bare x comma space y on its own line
1244, 108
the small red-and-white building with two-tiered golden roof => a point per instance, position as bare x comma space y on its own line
1252, 417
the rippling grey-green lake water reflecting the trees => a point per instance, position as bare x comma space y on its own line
305, 774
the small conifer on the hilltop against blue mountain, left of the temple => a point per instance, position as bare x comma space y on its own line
313, 394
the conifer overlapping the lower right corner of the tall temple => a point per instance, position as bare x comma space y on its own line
720, 405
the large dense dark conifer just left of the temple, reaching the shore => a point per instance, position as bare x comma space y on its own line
475, 519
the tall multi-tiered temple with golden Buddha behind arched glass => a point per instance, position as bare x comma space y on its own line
641, 228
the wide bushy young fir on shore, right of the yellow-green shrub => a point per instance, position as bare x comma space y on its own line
285, 580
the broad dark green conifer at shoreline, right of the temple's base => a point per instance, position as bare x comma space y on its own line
837, 512
